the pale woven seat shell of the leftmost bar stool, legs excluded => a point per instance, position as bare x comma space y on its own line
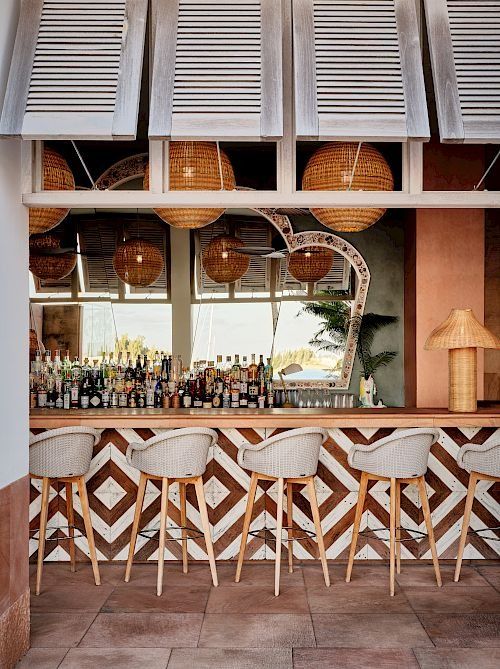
62, 453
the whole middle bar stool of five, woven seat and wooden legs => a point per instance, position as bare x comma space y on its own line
288, 458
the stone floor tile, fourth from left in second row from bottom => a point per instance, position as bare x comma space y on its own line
369, 631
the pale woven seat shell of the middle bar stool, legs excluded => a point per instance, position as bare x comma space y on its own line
292, 454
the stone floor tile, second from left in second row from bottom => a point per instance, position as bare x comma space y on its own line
144, 630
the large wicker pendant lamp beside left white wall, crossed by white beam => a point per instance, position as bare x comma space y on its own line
56, 176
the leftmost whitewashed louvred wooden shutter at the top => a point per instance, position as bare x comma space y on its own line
76, 70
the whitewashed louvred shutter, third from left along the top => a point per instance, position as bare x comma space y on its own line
358, 70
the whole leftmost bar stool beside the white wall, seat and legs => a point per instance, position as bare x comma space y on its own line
64, 455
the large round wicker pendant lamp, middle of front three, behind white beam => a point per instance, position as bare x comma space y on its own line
195, 166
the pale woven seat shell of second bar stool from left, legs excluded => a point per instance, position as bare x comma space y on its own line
175, 454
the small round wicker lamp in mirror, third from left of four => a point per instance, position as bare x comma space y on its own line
221, 263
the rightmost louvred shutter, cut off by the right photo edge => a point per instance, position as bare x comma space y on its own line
464, 42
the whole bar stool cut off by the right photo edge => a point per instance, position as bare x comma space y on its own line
482, 461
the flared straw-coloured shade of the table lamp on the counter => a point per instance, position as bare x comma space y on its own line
461, 330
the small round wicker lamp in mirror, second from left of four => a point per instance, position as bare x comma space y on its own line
138, 262
